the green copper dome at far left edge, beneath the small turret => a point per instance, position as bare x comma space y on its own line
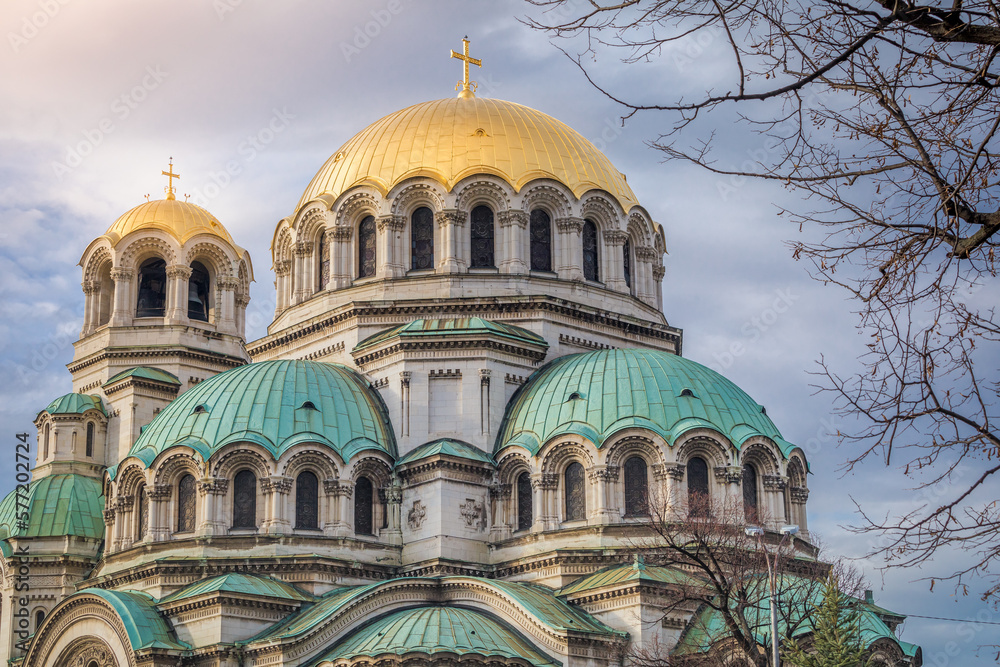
57, 505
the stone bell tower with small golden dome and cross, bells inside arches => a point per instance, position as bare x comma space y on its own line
166, 290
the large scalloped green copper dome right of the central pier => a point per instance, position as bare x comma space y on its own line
597, 394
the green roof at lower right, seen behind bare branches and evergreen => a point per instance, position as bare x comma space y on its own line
799, 596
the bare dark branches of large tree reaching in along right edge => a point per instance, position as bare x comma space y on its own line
884, 116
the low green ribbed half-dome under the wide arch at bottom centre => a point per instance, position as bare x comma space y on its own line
433, 630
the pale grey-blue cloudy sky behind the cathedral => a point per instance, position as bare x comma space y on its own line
96, 96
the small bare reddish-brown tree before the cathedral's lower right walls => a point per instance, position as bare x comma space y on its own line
722, 583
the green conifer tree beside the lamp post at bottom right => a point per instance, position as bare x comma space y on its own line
836, 639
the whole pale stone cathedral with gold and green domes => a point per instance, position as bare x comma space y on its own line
442, 450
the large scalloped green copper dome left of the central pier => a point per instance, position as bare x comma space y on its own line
276, 404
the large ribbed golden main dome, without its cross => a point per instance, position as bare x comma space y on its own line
450, 139
